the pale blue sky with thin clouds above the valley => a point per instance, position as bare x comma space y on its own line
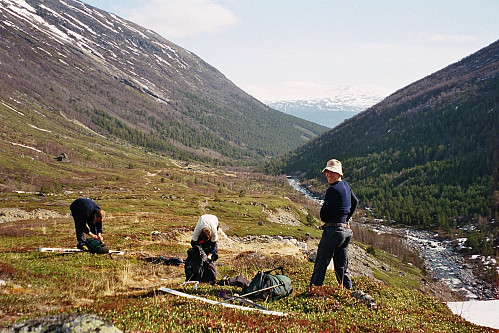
266, 46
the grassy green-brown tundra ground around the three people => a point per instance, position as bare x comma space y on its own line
152, 210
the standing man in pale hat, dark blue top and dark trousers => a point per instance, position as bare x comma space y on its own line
339, 205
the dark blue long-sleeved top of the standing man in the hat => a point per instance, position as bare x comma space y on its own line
339, 204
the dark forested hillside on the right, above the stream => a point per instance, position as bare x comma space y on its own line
427, 155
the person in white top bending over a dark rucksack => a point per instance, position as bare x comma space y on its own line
200, 263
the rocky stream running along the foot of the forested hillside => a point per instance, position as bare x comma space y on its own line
440, 259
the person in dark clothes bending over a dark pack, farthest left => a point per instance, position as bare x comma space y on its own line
88, 220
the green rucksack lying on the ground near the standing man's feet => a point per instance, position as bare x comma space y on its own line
279, 285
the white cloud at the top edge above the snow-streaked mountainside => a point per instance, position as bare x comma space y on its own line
177, 19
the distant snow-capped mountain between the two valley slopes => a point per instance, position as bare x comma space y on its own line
346, 101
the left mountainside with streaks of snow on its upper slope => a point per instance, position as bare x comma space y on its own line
72, 62
